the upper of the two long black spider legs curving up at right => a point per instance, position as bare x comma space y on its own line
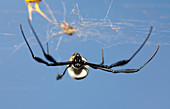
123, 62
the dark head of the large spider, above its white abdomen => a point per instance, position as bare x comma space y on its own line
77, 60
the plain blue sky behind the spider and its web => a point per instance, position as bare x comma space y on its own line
26, 84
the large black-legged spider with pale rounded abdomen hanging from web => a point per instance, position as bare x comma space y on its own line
77, 65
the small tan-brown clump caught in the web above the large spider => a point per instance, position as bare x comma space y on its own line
67, 29
